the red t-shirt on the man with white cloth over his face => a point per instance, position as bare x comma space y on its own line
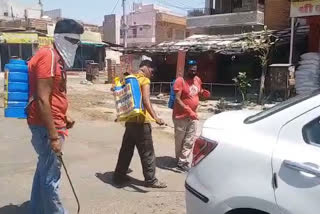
47, 63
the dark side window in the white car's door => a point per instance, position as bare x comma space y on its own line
311, 132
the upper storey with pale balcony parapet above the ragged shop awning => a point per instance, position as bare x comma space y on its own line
238, 16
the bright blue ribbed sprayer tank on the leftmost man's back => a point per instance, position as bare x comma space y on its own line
16, 89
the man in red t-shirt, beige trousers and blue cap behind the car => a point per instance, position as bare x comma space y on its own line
185, 118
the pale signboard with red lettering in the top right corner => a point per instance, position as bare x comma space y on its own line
303, 8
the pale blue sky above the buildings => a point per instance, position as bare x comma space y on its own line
92, 11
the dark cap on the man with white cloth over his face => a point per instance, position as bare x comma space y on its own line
68, 26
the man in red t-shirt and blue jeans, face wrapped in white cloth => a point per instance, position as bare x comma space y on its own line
47, 114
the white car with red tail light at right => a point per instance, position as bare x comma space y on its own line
258, 163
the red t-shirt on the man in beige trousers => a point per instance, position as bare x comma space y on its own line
190, 90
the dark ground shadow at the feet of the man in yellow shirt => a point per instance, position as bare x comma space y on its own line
133, 183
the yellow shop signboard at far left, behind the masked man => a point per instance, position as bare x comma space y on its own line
20, 38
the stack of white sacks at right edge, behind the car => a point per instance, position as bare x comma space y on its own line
308, 73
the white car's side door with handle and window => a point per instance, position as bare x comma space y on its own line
296, 165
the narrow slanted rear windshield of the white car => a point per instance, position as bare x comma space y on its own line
279, 107
